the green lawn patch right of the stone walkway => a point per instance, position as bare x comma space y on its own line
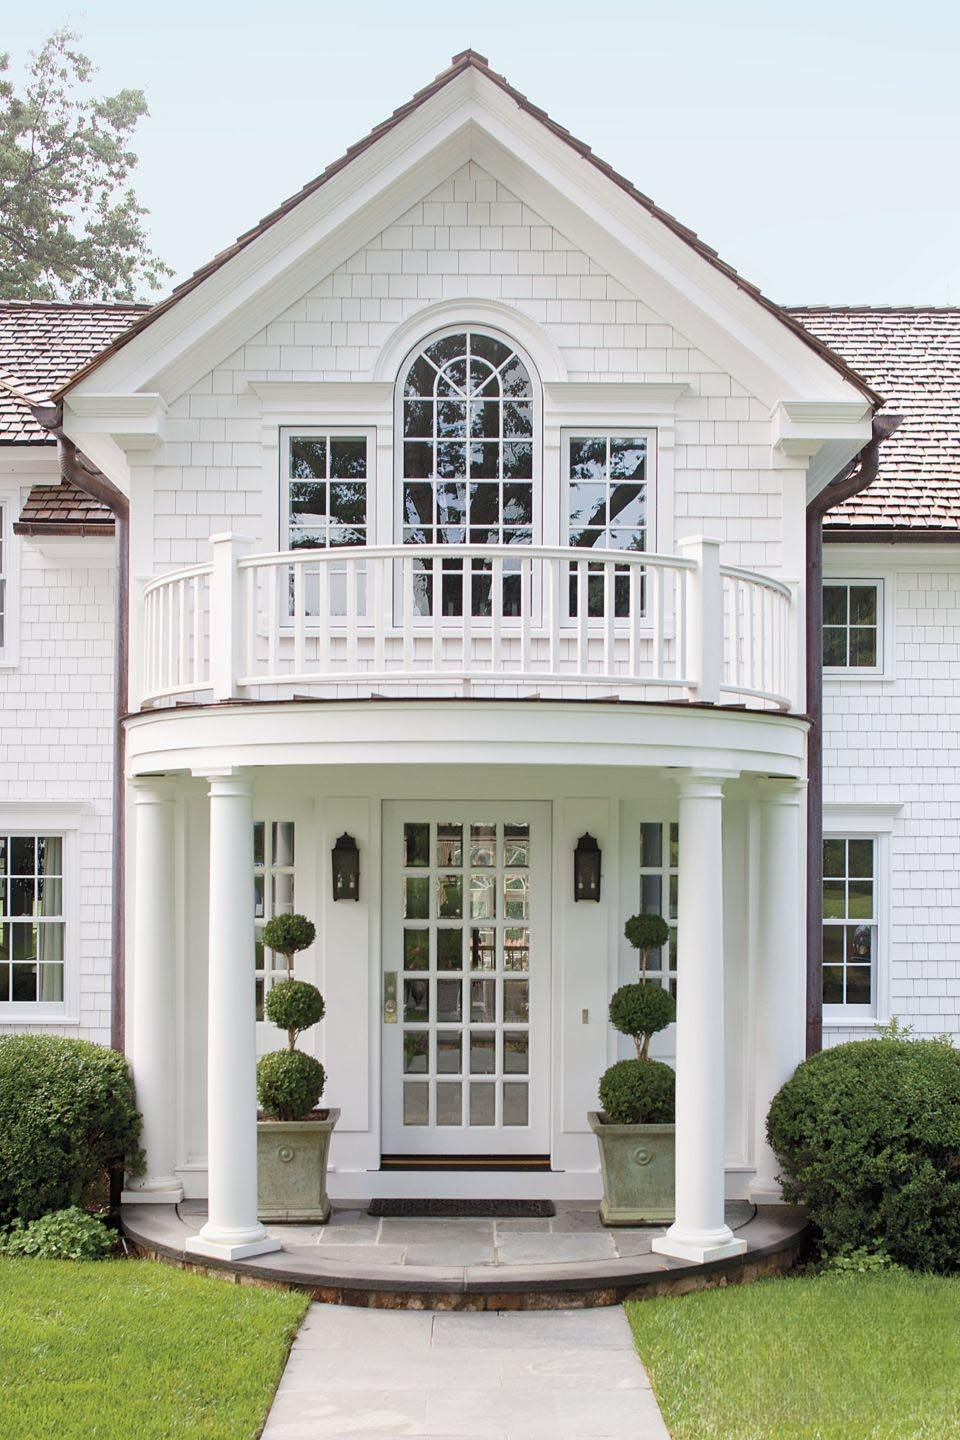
833, 1357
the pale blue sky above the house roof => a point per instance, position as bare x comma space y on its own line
817, 146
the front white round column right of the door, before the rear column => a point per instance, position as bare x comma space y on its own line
700, 1232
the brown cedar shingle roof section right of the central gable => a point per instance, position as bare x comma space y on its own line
912, 355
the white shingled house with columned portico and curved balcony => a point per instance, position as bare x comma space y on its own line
464, 516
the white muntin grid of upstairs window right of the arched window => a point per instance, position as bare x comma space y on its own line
607, 535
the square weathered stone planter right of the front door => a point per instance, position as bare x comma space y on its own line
637, 1163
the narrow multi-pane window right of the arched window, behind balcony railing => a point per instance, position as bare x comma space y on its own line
607, 509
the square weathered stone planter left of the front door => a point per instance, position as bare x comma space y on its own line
291, 1169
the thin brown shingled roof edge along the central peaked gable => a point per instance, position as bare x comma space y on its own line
463, 63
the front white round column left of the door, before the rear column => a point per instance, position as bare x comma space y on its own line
232, 1230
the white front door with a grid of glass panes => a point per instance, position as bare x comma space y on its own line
466, 989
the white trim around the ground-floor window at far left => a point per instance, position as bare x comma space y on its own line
64, 822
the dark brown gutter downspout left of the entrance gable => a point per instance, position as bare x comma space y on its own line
86, 476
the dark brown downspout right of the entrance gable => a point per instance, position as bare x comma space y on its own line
851, 482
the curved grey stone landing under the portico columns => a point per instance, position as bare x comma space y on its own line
476, 1265
